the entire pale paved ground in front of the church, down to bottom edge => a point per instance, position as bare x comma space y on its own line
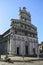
18, 60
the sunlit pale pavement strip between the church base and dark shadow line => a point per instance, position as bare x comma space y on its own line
21, 59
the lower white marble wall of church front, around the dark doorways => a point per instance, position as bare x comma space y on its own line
21, 42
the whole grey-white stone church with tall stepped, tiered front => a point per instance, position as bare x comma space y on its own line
21, 38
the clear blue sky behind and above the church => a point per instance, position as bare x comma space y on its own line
10, 9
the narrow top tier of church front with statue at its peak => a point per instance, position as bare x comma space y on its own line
24, 15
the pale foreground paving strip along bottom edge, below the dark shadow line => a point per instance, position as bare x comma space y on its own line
23, 63
